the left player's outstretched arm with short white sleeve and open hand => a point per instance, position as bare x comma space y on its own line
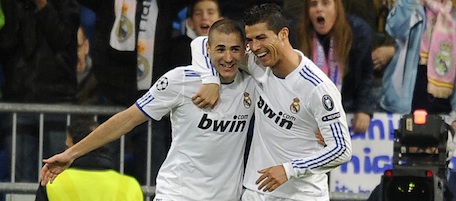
157, 102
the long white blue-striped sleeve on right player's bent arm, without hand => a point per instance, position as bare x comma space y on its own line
326, 105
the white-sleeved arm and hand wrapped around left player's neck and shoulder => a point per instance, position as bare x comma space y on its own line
208, 93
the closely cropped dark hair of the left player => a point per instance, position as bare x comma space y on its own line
227, 26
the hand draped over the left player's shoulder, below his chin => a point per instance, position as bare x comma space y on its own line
206, 96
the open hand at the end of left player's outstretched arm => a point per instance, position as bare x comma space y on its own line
53, 167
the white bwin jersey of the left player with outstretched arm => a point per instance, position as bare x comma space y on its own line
205, 161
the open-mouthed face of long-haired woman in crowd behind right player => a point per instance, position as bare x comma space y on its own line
322, 15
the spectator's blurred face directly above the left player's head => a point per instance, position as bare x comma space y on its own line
205, 13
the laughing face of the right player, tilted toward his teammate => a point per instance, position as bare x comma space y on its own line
264, 43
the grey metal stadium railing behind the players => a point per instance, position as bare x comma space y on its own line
72, 111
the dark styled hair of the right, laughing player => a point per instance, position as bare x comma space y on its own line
269, 13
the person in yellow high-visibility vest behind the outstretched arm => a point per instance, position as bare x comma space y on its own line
90, 177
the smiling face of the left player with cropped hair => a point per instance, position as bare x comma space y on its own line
226, 52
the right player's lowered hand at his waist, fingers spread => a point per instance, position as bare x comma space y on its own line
271, 178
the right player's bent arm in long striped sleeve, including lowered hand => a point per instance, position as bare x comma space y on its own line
337, 144
